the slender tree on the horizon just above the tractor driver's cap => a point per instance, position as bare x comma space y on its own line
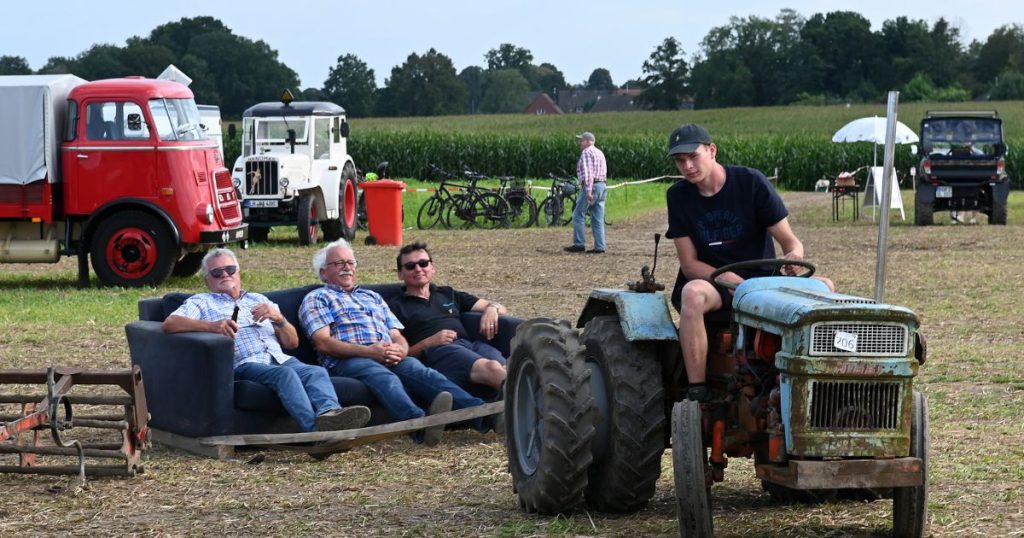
666, 77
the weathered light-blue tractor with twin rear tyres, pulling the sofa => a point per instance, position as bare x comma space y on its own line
816, 387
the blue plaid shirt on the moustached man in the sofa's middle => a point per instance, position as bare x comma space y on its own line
359, 317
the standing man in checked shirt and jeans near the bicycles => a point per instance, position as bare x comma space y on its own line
593, 174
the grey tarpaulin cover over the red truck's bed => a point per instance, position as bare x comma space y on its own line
32, 114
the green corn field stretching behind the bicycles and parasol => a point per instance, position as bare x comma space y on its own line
792, 144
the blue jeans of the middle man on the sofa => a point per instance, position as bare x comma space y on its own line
395, 388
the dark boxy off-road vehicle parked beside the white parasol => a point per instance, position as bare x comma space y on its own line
963, 165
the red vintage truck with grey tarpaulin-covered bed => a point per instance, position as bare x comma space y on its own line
120, 172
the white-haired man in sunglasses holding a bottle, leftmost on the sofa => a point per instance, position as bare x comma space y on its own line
260, 332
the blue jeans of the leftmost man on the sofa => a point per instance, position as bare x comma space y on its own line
305, 390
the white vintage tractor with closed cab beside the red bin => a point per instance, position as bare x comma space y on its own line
295, 171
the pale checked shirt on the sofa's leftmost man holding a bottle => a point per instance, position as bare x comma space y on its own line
255, 343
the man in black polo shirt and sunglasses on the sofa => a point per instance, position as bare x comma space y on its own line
434, 327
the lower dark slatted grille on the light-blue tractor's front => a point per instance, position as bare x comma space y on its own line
856, 405
